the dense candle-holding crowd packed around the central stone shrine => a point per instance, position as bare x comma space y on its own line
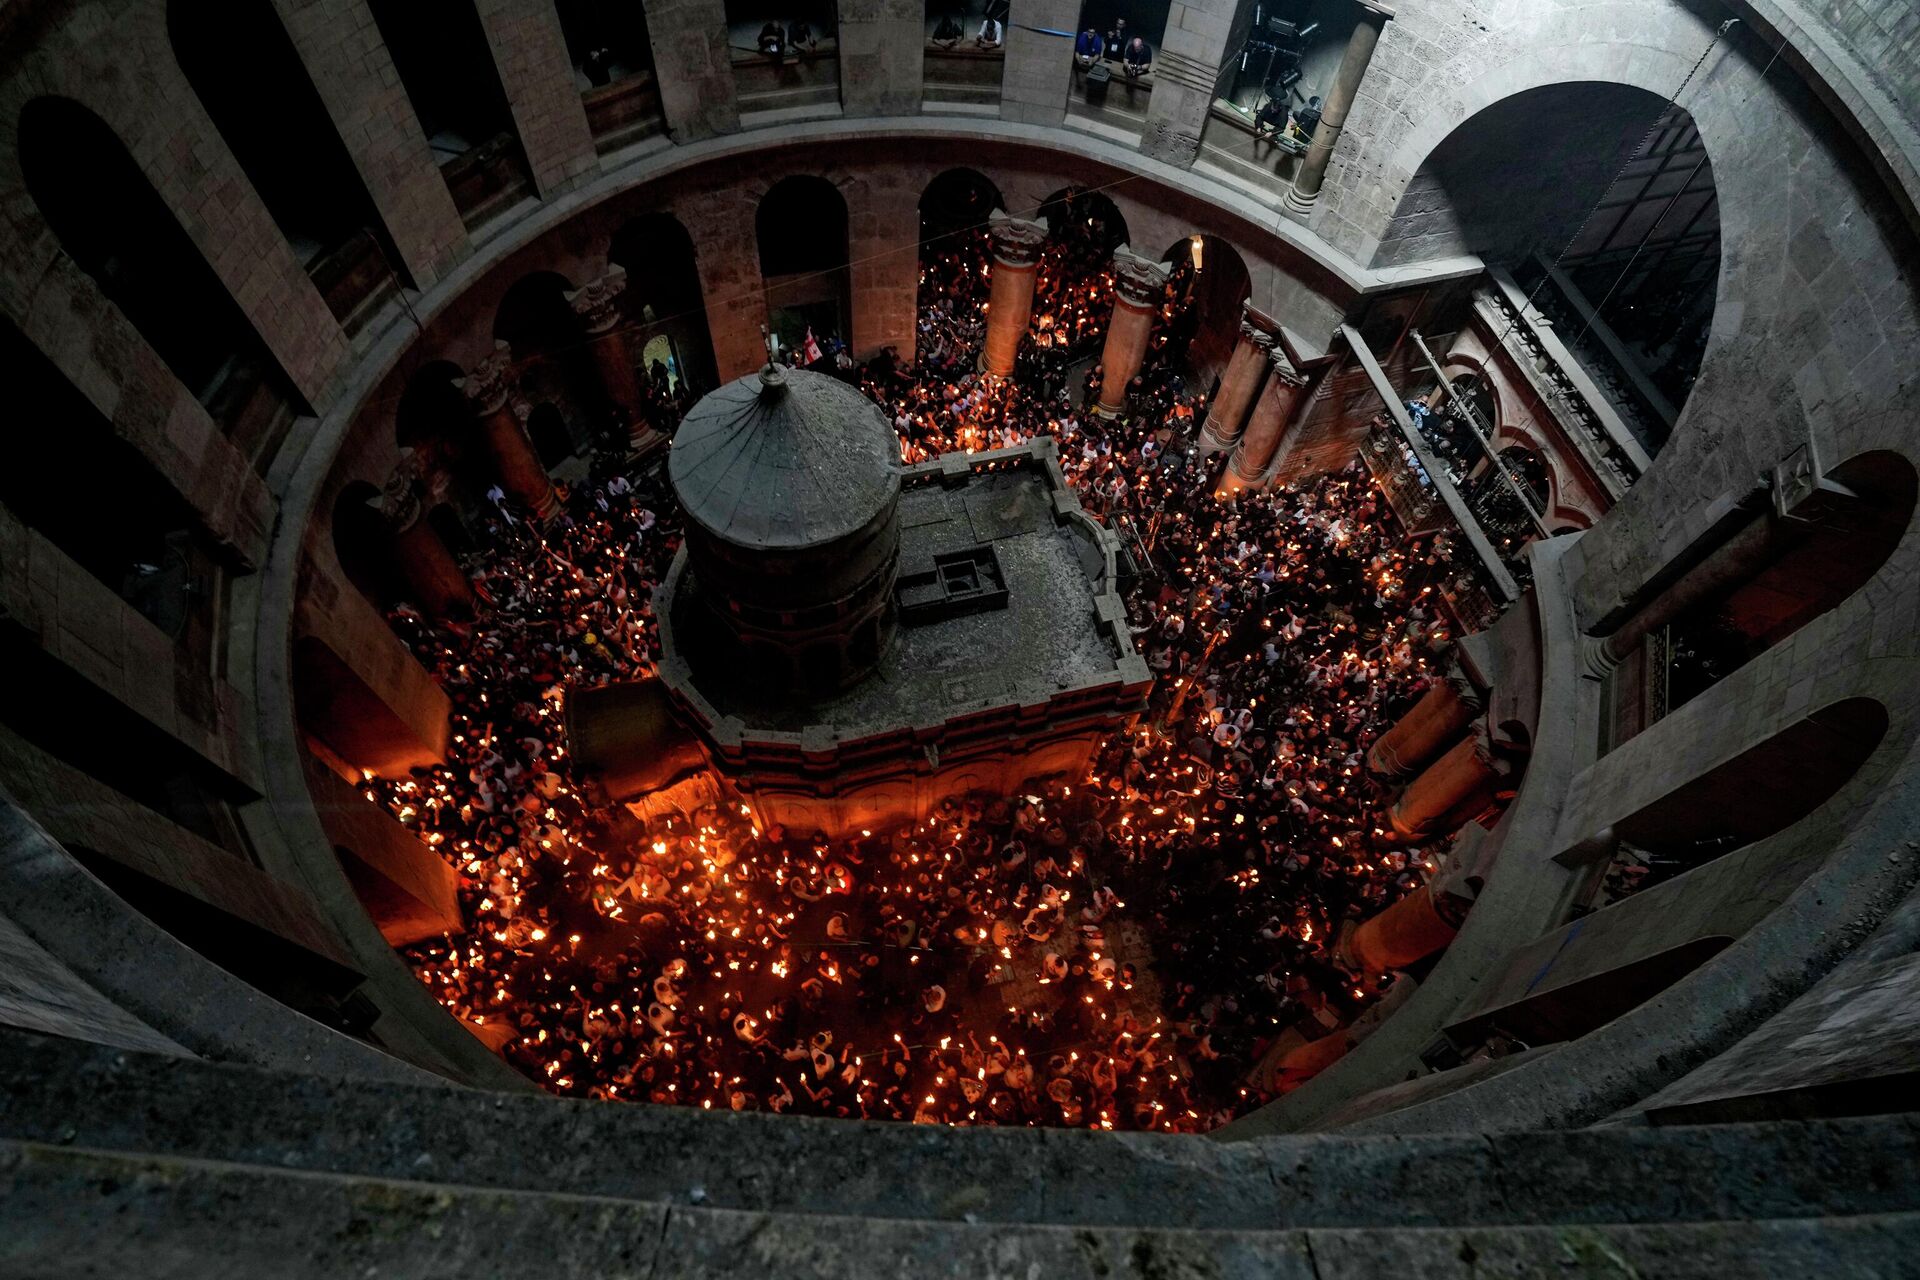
1126, 951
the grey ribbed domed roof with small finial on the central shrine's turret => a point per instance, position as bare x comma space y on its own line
784, 460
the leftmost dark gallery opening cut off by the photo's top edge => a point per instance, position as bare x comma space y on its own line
279, 130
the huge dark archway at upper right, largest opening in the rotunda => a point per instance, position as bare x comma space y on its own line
1614, 189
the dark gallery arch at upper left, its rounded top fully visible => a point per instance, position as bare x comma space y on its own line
116, 227
